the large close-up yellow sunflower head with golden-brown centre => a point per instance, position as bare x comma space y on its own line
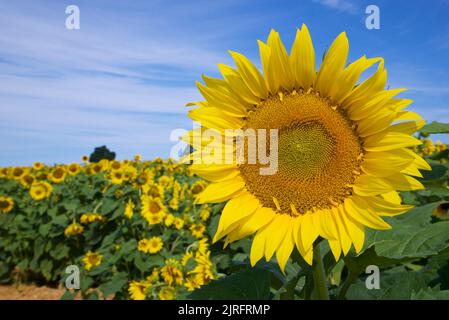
343, 149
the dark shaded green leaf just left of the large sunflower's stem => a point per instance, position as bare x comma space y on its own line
248, 284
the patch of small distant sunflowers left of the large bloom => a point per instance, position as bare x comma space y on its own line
130, 226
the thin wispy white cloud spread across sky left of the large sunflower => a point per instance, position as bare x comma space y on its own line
122, 79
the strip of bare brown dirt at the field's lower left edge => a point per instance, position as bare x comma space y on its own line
29, 292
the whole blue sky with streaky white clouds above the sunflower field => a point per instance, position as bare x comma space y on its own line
123, 78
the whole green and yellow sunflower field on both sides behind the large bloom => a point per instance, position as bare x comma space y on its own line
134, 231
